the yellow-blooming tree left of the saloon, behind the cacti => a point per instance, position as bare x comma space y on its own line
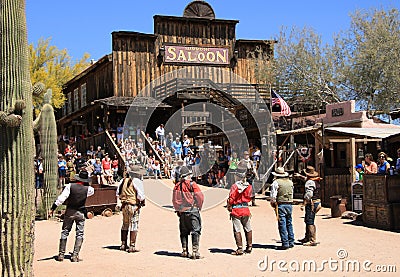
53, 67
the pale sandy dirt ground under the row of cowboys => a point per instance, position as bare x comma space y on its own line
343, 246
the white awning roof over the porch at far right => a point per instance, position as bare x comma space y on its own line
366, 132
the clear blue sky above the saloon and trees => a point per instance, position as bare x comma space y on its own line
86, 26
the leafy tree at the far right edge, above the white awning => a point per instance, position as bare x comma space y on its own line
368, 60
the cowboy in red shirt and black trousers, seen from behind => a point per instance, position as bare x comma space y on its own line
188, 199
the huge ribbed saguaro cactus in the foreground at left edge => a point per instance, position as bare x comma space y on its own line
16, 144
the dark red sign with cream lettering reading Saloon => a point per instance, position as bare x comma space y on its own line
196, 55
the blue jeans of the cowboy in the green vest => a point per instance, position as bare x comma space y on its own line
285, 224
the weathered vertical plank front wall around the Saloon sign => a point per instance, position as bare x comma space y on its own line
135, 54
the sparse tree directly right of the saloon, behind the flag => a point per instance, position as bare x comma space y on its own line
302, 69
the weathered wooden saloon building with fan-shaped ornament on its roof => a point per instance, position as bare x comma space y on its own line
198, 43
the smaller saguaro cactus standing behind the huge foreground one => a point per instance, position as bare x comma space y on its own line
45, 124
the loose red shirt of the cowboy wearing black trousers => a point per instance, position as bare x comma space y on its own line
187, 197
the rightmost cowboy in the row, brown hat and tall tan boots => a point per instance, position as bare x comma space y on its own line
312, 204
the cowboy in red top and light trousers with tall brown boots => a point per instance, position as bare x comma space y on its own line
237, 204
